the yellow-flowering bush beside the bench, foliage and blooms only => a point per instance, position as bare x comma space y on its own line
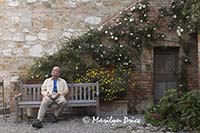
111, 82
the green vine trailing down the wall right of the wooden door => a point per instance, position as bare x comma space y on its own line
185, 15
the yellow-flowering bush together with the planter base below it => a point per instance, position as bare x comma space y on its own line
113, 88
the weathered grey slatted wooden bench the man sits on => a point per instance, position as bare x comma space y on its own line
80, 94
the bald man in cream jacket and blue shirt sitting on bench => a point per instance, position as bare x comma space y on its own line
53, 90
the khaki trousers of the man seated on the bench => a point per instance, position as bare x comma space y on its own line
46, 102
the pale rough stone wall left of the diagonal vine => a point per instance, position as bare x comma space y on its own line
31, 28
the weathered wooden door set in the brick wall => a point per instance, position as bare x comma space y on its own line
165, 70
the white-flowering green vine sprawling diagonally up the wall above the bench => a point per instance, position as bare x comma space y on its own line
117, 45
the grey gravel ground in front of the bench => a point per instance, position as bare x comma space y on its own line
85, 124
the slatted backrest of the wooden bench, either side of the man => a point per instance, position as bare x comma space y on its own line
78, 91
